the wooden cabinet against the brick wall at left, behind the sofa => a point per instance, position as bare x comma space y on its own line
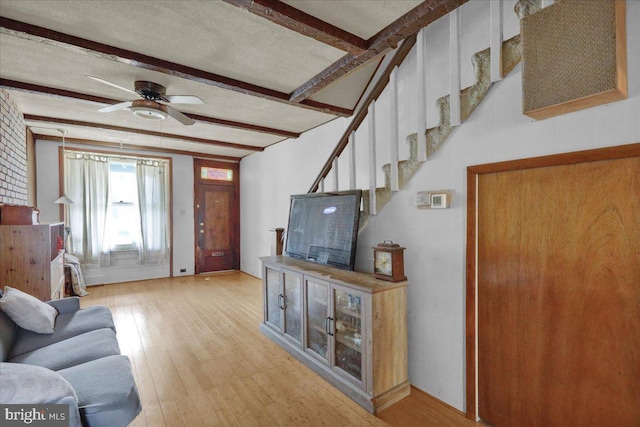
30, 260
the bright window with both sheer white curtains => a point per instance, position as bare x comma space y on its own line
121, 203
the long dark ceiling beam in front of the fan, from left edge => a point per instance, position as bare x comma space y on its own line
135, 59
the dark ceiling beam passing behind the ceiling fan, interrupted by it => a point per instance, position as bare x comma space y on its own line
67, 94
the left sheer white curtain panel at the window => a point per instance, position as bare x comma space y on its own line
87, 183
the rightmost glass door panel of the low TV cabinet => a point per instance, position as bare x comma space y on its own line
348, 332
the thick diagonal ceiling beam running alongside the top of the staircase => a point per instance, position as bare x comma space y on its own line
387, 39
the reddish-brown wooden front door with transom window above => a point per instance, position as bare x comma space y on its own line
217, 216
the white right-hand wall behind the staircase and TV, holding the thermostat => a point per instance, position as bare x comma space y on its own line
435, 240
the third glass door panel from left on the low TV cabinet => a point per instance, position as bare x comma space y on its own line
317, 318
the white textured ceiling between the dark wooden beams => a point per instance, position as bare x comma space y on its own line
215, 38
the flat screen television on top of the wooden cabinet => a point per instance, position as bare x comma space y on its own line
323, 228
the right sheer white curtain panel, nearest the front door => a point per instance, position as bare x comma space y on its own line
153, 201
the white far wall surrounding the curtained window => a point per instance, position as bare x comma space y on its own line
125, 269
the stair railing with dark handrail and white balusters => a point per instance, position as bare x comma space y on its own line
490, 65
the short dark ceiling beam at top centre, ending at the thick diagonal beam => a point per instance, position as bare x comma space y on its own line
308, 25
